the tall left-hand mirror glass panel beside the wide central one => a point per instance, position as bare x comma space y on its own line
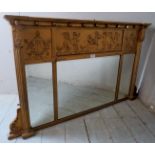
40, 93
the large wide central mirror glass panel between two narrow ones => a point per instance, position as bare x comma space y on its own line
85, 84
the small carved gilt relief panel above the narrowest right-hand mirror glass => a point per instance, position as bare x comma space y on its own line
130, 40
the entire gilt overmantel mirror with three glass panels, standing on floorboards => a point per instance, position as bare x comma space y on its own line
68, 68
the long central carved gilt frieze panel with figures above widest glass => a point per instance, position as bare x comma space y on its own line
86, 41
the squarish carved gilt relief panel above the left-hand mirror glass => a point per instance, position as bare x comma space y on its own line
35, 44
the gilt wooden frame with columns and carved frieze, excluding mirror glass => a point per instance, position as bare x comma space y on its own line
124, 38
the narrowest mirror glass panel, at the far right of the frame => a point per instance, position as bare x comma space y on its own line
128, 60
